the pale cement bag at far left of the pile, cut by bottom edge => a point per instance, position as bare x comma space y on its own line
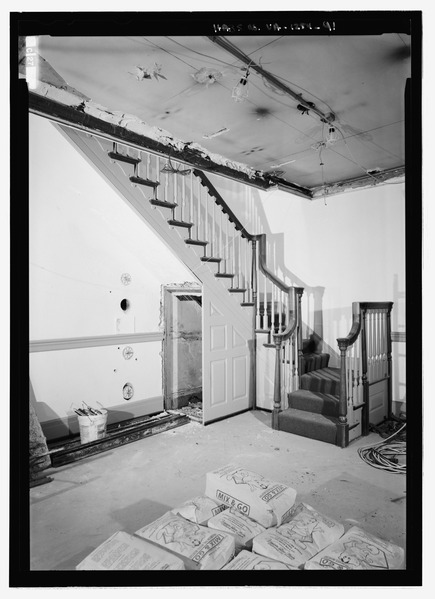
123, 551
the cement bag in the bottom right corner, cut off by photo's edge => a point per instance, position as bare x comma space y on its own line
358, 550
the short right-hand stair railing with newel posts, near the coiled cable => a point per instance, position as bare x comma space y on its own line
365, 358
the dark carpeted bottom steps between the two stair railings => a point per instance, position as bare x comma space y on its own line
313, 409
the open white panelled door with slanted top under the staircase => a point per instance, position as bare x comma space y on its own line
226, 359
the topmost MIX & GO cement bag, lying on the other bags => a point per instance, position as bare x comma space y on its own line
263, 500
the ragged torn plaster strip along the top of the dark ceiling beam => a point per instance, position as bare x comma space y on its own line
70, 97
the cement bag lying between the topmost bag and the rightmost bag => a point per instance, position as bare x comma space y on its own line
296, 541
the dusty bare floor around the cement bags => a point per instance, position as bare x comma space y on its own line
129, 487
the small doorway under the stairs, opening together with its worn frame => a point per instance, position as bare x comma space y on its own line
182, 349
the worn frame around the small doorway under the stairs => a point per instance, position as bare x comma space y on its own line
168, 295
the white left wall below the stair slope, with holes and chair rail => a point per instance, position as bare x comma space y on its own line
82, 238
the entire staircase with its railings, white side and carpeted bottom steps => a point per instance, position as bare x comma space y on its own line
310, 398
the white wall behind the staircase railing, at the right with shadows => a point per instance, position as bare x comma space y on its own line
349, 248
